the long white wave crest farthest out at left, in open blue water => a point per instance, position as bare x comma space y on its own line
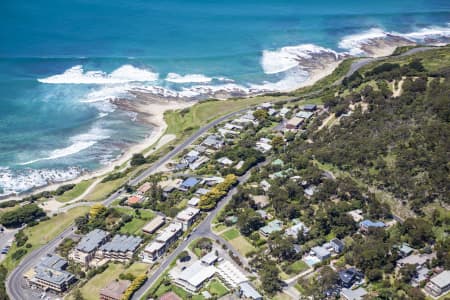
124, 74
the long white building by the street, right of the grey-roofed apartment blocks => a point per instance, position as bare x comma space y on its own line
159, 245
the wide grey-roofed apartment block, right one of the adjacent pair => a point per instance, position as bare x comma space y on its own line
120, 248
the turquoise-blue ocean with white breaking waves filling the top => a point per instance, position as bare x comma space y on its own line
61, 62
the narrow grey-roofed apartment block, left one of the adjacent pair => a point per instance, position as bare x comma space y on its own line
84, 251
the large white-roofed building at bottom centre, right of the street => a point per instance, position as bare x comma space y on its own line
193, 277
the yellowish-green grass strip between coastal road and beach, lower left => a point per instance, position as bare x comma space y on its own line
44, 232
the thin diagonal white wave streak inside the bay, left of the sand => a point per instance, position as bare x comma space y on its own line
78, 143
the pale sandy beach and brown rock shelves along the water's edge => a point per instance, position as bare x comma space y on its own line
151, 108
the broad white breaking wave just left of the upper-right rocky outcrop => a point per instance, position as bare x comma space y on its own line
286, 58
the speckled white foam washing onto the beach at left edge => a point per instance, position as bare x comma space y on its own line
12, 182
